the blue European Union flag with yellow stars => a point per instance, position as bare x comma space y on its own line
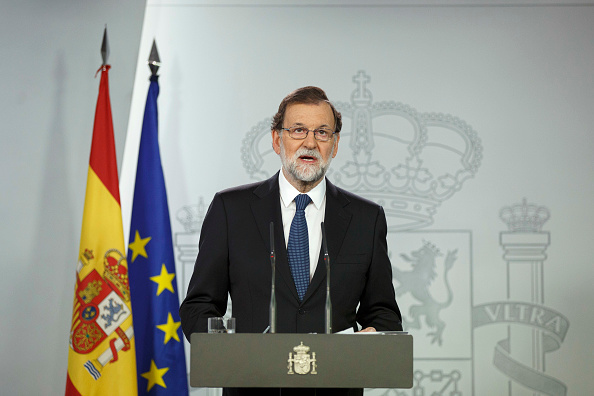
160, 360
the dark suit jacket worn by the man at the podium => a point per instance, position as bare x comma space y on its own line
234, 257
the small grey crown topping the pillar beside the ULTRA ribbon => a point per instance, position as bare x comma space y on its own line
524, 217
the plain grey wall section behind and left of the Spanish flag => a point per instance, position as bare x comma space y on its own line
50, 53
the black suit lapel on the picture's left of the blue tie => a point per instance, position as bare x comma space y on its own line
266, 208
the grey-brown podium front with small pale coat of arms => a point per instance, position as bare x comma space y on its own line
301, 360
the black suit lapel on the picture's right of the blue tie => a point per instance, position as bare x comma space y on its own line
336, 222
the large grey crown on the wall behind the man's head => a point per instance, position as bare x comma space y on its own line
406, 161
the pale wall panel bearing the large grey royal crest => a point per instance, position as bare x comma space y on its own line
475, 133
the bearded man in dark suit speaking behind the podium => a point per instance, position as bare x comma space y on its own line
234, 243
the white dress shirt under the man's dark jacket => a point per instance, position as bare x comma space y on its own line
314, 215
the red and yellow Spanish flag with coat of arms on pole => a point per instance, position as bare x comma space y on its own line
101, 356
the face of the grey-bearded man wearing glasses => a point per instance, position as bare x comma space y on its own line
306, 161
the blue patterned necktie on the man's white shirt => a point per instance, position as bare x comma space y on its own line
298, 246
